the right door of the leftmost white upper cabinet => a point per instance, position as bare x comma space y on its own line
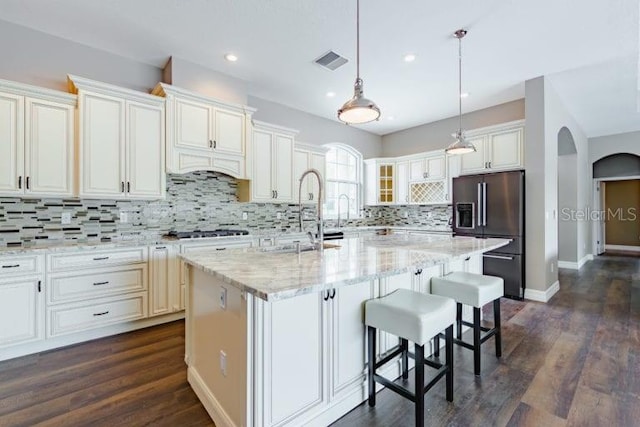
49, 148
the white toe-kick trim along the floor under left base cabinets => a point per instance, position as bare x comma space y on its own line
62, 341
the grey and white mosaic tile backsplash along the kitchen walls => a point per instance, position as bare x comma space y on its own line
199, 200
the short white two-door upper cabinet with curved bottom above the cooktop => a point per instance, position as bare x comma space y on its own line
203, 133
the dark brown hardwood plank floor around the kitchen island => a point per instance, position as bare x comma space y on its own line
574, 361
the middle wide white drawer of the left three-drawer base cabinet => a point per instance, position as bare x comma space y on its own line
99, 283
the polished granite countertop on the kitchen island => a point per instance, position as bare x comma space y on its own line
274, 276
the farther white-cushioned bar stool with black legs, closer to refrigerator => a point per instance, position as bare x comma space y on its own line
475, 290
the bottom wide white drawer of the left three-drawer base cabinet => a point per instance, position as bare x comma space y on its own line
79, 317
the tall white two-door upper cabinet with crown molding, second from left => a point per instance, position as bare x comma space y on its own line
121, 141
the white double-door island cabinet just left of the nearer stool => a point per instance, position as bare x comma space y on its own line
314, 354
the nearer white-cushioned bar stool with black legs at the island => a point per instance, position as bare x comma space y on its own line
417, 317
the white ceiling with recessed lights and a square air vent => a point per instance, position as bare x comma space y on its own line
589, 48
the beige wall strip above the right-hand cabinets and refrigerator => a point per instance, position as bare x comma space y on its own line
437, 135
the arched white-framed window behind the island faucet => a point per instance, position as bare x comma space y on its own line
344, 178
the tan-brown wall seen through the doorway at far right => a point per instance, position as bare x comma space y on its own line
622, 200
